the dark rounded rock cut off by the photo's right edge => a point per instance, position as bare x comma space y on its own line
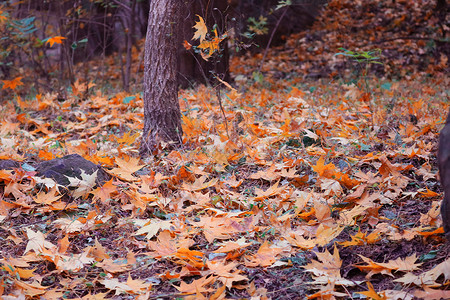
444, 172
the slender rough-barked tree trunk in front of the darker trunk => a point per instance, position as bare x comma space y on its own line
162, 117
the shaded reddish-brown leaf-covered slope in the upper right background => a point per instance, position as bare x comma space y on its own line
408, 33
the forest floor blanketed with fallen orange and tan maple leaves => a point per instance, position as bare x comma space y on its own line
320, 188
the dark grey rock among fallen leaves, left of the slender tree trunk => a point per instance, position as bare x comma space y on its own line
70, 166
